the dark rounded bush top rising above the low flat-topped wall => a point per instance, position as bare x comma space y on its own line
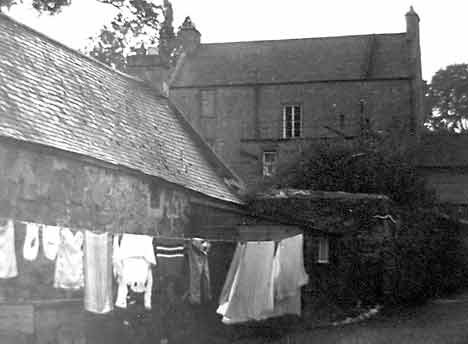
376, 167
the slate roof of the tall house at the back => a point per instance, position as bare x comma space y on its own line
296, 60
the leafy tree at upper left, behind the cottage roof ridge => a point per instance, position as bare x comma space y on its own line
135, 27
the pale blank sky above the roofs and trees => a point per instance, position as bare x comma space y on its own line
443, 24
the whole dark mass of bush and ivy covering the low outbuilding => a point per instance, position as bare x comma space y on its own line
418, 258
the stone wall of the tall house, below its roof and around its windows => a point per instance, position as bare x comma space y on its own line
252, 115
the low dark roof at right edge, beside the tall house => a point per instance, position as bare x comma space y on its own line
443, 150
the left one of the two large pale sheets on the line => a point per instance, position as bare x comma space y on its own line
252, 295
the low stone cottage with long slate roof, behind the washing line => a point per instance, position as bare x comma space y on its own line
86, 147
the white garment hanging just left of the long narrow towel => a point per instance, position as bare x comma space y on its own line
69, 262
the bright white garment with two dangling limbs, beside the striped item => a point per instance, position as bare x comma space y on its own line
133, 258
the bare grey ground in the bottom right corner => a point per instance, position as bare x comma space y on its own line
439, 321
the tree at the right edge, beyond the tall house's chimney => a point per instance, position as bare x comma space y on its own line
447, 99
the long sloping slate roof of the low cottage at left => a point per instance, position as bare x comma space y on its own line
55, 96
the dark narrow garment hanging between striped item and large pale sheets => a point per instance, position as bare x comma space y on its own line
200, 289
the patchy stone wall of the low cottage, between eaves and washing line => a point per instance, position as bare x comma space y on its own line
49, 188
